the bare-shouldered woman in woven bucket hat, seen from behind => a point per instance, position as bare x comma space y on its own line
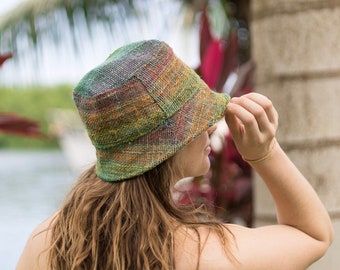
149, 117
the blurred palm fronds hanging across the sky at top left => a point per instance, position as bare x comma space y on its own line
39, 19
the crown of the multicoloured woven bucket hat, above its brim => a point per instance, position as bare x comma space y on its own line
134, 91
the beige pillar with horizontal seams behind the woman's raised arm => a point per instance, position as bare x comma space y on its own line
296, 46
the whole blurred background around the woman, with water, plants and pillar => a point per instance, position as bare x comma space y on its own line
285, 49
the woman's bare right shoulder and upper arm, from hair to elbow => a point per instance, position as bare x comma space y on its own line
269, 247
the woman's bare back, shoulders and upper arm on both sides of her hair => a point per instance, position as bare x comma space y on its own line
270, 247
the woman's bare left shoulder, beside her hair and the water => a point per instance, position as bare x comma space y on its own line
34, 255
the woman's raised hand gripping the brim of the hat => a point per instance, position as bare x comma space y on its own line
253, 121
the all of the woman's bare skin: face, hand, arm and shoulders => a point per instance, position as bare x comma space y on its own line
304, 230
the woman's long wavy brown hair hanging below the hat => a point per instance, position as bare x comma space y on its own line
124, 225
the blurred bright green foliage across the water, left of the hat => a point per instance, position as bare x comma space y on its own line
34, 103
